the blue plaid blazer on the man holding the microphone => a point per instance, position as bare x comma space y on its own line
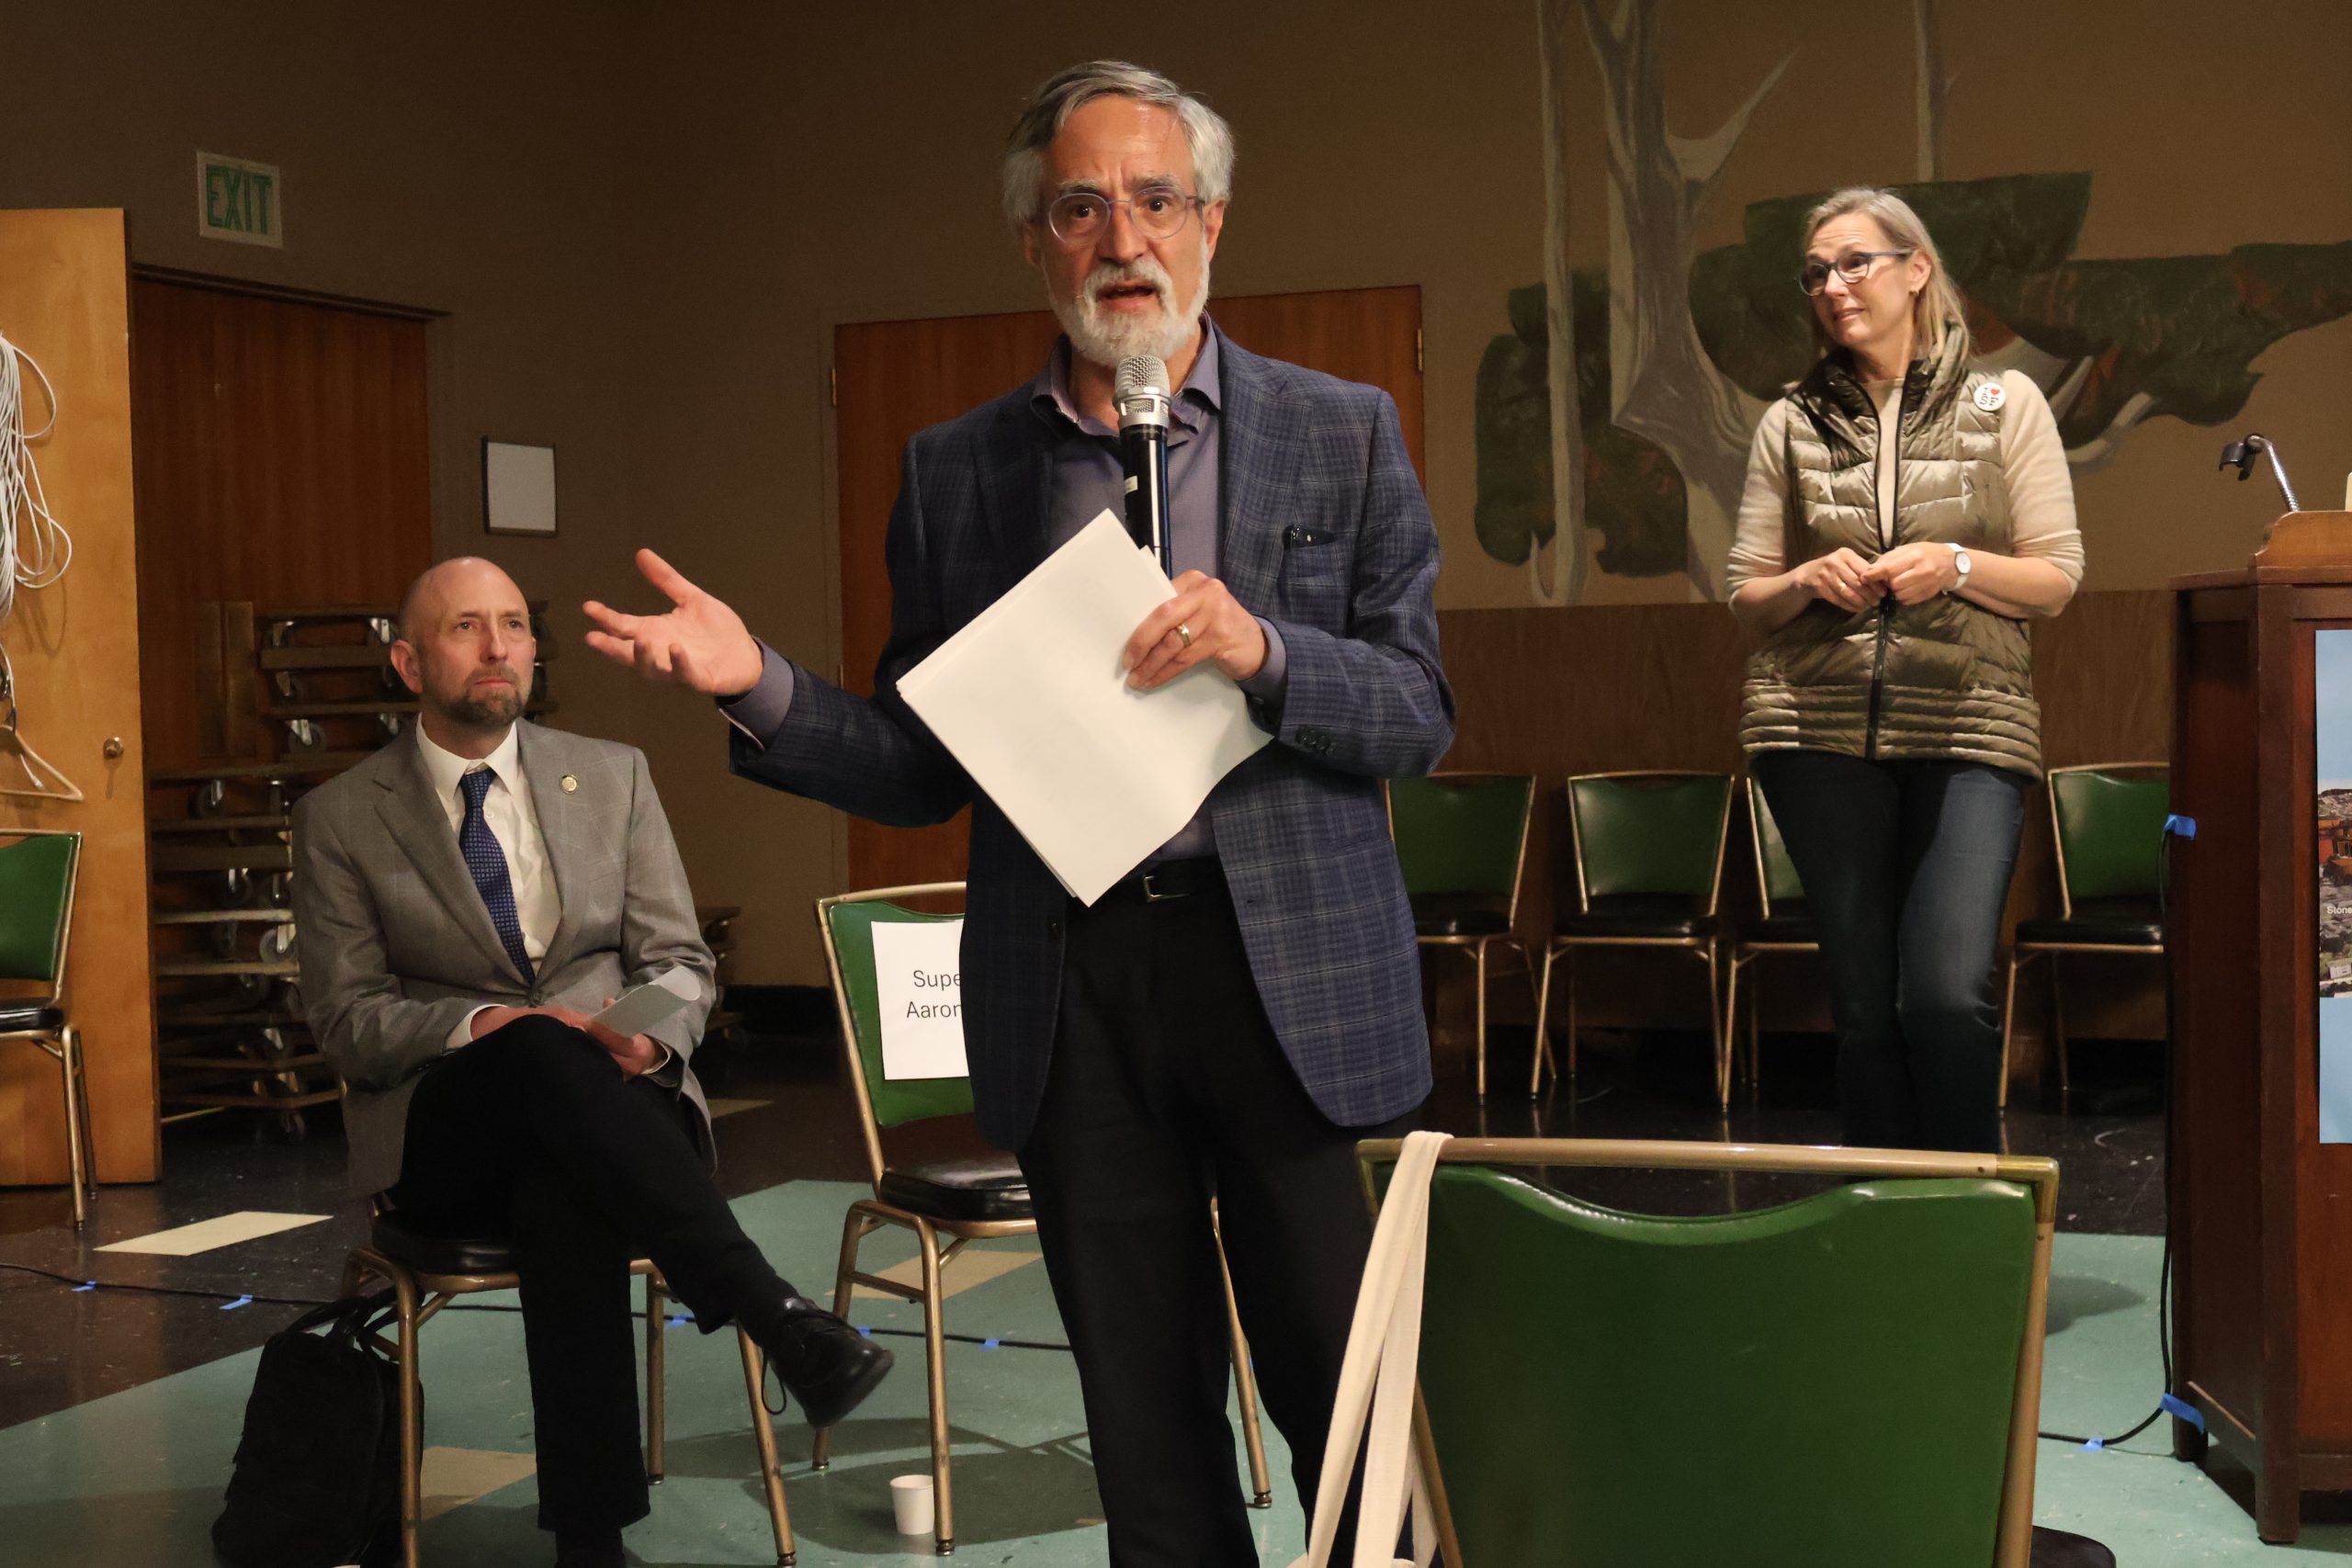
1325, 535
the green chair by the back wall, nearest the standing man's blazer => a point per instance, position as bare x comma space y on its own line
1462, 843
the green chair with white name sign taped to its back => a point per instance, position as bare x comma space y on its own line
963, 1200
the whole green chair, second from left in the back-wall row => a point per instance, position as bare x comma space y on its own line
1650, 873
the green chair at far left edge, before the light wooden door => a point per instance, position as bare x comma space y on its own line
39, 869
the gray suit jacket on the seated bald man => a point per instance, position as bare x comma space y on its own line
396, 944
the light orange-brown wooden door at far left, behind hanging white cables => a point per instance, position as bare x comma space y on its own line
76, 652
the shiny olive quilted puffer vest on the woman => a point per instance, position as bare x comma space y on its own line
1946, 678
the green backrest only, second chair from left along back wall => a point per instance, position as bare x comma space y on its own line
1650, 833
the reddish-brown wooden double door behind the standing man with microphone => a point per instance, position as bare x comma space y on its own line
897, 377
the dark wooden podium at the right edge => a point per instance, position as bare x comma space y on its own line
2261, 1212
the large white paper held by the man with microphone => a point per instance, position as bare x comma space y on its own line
1031, 699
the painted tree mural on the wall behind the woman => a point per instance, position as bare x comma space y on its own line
1622, 401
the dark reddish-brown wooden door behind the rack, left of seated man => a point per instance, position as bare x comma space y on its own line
283, 460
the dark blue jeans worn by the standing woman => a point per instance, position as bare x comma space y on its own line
1906, 873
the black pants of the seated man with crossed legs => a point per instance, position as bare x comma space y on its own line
535, 1134
